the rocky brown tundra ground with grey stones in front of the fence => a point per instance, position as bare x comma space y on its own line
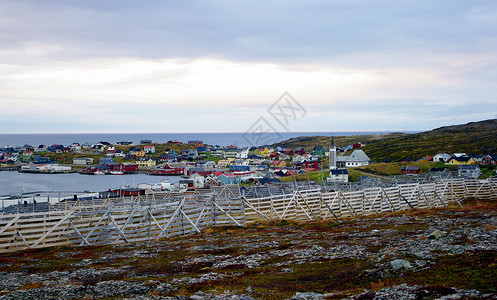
421, 254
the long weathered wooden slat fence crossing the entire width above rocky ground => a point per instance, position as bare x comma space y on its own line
151, 217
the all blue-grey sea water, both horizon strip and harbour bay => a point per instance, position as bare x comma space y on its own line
14, 182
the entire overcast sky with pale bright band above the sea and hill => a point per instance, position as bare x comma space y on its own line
218, 66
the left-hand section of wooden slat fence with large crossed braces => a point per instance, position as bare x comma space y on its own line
130, 220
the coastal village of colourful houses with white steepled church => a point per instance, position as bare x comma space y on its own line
202, 166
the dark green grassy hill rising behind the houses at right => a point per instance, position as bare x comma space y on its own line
472, 138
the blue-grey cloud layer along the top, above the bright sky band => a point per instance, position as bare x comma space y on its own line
284, 31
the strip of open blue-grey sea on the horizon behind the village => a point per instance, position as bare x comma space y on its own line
223, 139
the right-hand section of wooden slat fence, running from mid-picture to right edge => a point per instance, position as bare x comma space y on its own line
314, 204
